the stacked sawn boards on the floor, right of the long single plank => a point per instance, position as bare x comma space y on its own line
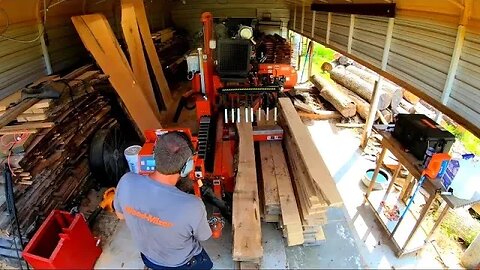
297, 188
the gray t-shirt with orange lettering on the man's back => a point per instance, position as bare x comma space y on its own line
166, 223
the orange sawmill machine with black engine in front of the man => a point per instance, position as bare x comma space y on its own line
233, 84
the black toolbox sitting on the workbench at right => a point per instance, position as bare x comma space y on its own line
417, 132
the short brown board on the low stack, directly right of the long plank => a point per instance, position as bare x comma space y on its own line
270, 187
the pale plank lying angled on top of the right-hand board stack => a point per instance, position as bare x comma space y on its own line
315, 166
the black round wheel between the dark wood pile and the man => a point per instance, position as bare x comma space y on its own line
106, 159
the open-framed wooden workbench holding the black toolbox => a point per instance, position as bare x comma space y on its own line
402, 232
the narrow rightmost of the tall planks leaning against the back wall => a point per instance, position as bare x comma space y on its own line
152, 52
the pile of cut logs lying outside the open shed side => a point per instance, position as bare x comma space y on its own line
350, 89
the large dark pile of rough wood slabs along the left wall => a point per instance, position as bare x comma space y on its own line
51, 168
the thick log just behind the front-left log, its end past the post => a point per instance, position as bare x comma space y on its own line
359, 86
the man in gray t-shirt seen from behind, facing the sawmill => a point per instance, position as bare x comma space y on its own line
166, 224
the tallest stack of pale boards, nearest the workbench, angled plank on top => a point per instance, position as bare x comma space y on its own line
314, 187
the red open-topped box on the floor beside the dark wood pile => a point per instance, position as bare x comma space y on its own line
63, 241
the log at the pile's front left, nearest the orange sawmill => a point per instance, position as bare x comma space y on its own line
337, 98
